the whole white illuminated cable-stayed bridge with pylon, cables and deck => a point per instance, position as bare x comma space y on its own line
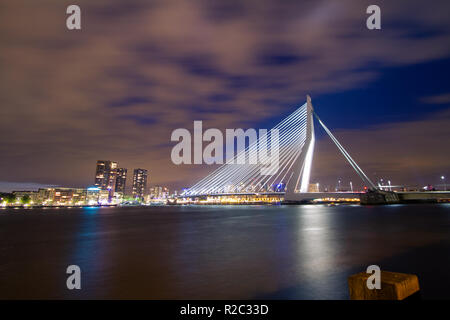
290, 178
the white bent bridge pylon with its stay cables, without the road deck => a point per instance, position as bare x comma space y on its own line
295, 159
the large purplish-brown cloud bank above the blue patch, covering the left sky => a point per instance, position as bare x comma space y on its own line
139, 70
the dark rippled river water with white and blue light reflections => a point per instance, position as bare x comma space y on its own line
220, 252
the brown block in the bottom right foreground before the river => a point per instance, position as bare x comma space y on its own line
394, 286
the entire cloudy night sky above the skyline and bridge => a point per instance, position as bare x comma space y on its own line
138, 70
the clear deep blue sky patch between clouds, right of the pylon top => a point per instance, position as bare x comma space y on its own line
398, 94
